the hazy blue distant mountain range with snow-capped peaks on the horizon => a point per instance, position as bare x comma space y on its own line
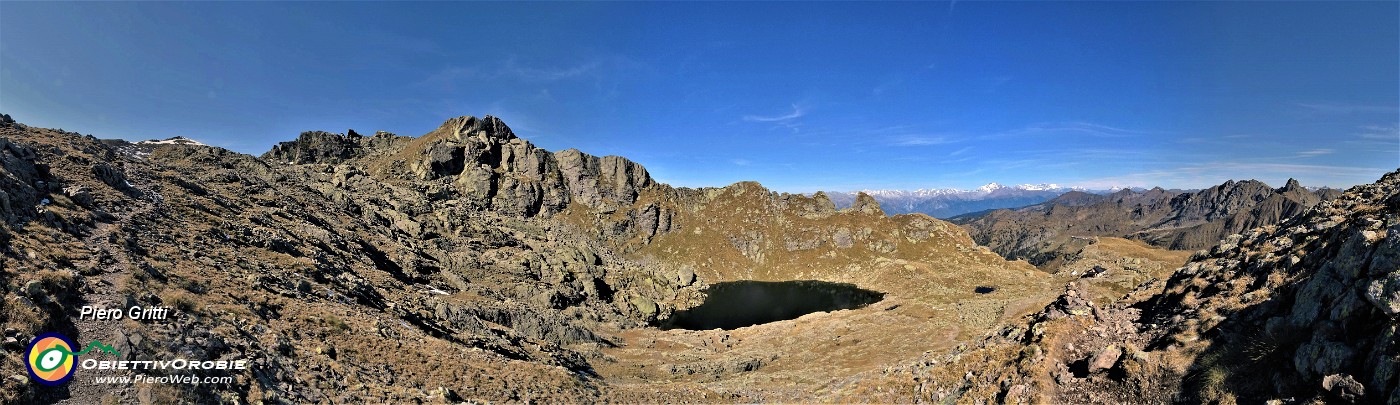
948, 202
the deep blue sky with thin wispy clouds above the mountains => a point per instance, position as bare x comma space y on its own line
797, 96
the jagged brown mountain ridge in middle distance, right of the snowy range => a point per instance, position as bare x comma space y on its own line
1168, 219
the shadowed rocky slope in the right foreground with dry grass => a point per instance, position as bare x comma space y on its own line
1303, 312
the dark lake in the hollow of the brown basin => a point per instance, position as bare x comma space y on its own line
737, 305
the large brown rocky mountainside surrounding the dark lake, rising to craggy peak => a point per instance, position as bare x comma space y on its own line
464, 264
